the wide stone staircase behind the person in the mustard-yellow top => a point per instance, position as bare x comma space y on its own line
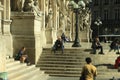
71, 62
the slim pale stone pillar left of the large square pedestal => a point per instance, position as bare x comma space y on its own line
6, 28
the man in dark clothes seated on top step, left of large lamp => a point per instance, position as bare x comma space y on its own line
58, 45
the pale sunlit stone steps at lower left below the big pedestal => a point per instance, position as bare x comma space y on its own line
20, 71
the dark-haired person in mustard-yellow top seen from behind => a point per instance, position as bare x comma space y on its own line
89, 71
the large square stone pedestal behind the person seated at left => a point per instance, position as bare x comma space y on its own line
26, 31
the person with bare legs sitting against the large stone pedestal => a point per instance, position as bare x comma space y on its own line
22, 56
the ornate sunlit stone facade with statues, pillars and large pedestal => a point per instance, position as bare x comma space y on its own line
33, 24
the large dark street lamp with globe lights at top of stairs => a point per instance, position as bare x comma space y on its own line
76, 6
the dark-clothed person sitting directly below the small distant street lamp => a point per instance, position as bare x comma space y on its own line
96, 45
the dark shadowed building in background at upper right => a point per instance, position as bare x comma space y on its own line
109, 13
